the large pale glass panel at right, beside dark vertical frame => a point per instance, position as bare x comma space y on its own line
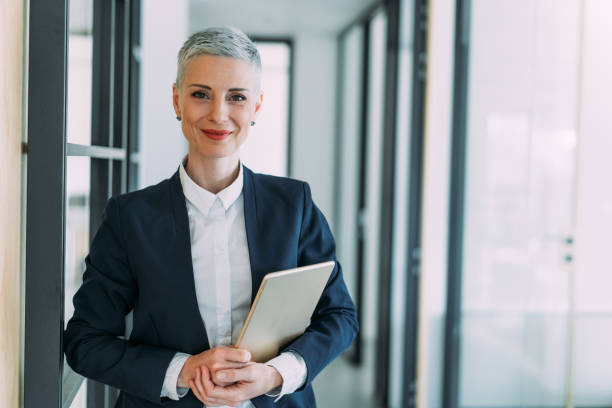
519, 203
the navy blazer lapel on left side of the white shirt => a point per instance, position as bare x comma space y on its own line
184, 264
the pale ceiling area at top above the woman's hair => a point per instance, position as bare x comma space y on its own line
277, 17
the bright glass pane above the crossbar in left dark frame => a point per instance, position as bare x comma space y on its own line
80, 55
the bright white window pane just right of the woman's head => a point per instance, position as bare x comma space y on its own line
265, 150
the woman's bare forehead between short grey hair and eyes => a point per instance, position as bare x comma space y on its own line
219, 72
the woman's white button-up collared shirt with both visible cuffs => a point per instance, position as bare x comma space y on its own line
222, 276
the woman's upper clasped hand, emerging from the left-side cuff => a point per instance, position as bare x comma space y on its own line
217, 358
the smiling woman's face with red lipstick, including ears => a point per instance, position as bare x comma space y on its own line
217, 101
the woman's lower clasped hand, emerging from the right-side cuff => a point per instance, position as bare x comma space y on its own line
249, 382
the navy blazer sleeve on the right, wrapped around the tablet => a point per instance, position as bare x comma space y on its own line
334, 323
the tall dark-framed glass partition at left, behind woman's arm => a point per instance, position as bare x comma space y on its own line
80, 152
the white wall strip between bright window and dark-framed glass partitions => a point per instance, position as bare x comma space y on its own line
314, 112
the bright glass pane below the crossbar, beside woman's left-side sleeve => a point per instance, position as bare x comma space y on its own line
77, 227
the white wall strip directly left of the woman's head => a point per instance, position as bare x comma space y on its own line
162, 145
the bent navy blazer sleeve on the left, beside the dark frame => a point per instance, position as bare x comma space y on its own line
92, 340
